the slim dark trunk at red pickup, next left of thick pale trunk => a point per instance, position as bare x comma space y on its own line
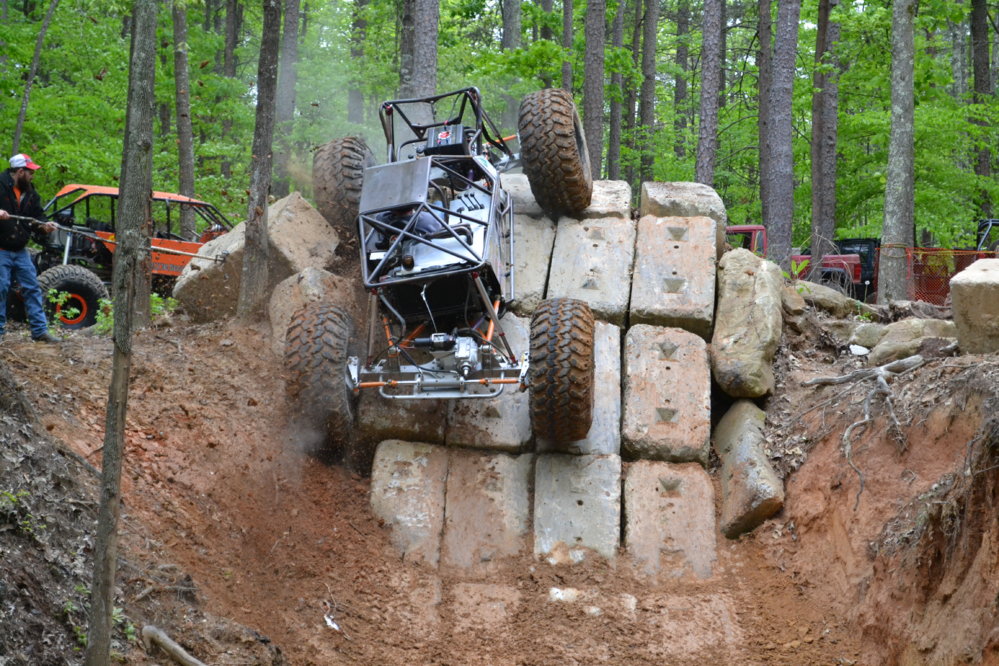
825, 105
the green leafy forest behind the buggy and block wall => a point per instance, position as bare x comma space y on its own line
340, 59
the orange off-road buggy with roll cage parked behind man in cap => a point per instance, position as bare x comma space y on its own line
77, 258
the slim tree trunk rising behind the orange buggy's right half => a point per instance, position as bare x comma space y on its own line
185, 131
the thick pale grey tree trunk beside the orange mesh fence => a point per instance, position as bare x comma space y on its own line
899, 189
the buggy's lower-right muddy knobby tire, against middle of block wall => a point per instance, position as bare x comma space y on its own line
561, 373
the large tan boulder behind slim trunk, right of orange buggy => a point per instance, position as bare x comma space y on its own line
299, 237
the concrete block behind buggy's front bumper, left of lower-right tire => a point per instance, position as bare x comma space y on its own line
499, 424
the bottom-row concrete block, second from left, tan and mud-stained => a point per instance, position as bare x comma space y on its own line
488, 512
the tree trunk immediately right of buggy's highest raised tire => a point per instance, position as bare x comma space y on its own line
593, 82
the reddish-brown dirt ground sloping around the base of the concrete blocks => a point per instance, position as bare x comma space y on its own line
222, 522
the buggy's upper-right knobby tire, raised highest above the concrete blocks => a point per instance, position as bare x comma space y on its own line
553, 152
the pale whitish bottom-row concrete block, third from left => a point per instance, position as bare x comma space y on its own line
577, 506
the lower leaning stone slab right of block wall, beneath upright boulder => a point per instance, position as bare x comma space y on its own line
751, 490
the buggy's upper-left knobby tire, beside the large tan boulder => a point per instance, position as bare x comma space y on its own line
337, 175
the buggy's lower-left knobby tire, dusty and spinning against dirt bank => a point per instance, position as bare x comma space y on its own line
317, 345
